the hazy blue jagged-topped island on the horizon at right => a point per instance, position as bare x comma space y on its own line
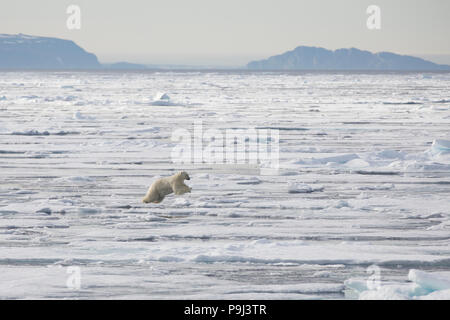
316, 58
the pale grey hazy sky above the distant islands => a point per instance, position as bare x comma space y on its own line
232, 32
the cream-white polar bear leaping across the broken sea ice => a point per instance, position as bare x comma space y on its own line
164, 186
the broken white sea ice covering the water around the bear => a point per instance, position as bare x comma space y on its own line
363, 179
